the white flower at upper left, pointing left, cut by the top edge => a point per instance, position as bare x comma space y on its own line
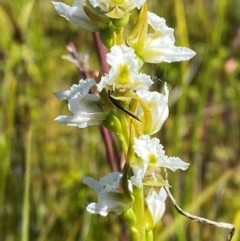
75, 14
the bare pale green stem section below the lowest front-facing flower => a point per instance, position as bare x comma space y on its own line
139, 212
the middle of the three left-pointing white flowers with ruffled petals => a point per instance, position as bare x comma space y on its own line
87, 108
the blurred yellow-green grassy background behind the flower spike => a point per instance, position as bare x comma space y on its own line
42, 162
